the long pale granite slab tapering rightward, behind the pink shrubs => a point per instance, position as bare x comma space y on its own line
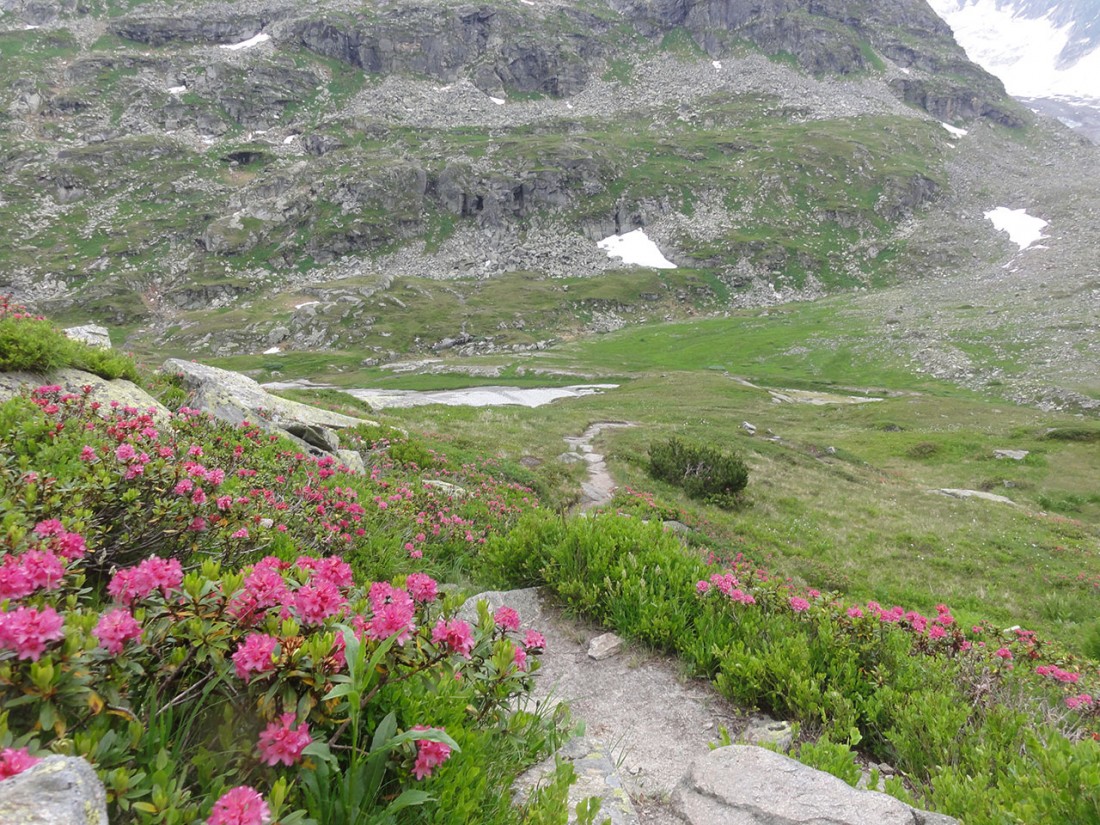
235, 399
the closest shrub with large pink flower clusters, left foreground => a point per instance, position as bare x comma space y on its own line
263, 667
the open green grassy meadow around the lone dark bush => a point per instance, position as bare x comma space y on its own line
841, 494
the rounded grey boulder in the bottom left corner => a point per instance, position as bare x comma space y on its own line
58, 791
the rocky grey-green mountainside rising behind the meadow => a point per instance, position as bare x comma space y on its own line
399, 178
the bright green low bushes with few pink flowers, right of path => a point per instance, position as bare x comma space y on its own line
962, 713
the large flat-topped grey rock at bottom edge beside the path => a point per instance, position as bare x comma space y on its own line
741, 785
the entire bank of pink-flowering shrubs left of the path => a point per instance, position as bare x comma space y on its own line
179, 604
